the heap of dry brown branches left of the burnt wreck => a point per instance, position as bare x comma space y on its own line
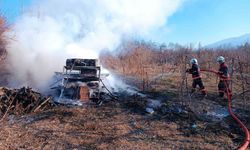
22, 101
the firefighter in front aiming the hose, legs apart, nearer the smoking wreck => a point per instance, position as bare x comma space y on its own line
195, 71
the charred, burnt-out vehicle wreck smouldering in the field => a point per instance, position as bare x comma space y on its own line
80, 80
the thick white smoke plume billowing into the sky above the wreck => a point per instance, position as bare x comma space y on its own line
53, 30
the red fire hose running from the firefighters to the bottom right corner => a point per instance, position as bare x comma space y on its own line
245, 145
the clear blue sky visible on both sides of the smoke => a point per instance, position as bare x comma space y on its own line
204, 21
